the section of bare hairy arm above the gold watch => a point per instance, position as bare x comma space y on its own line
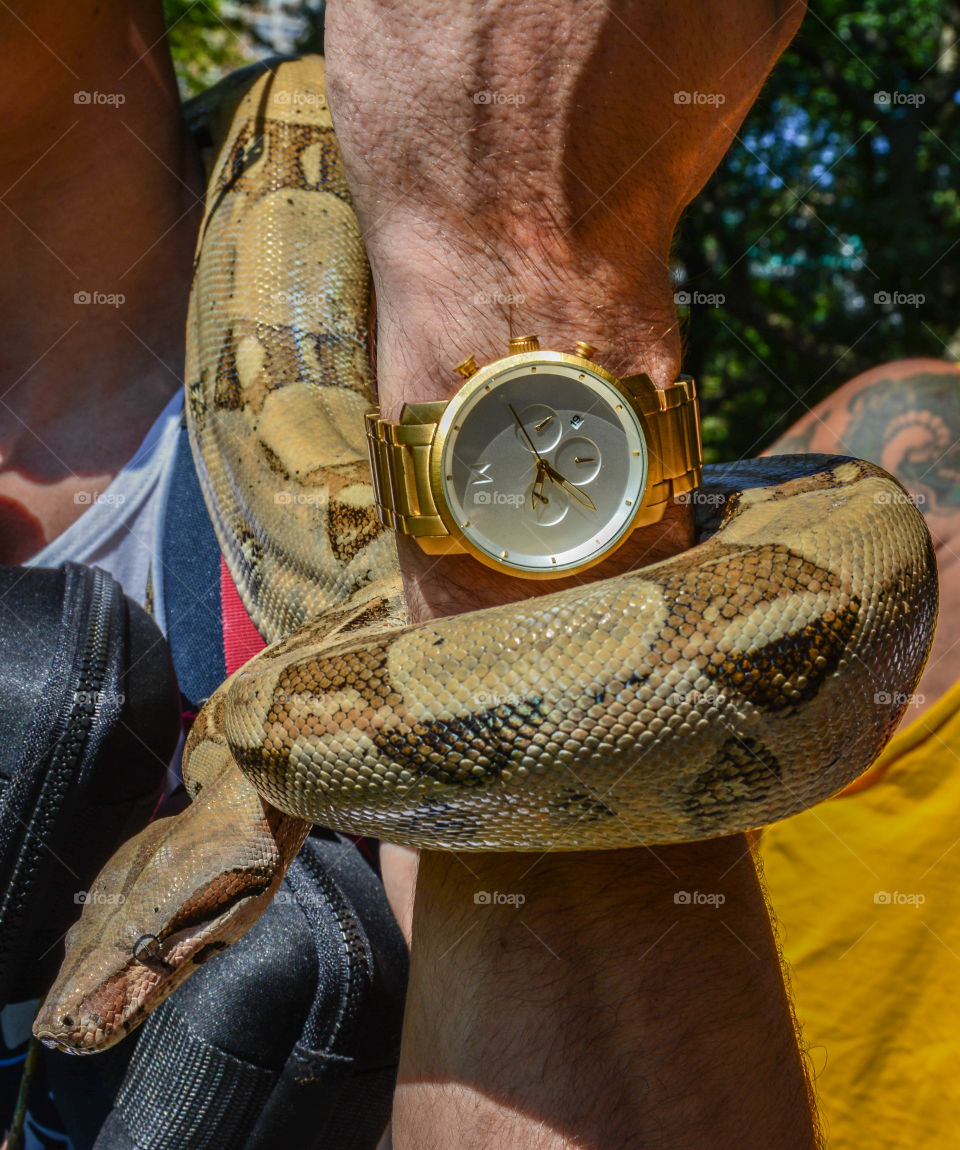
523, 167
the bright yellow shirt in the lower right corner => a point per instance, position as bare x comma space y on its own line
866, 888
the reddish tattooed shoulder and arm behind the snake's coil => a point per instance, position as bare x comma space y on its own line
905, 417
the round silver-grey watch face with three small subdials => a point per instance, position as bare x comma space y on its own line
543, 465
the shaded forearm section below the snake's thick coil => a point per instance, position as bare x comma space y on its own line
601, 1013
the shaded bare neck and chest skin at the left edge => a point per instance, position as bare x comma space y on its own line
103, 195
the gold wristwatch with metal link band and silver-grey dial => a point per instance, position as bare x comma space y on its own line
541, 465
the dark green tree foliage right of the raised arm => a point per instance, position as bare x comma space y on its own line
833, 229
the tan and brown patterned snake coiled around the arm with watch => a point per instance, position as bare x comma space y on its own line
723, 689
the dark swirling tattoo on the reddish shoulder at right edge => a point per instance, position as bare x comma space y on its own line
911, 426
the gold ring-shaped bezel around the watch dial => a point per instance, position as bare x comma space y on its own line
481, 381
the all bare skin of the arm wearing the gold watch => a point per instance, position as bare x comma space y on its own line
602, 1014
